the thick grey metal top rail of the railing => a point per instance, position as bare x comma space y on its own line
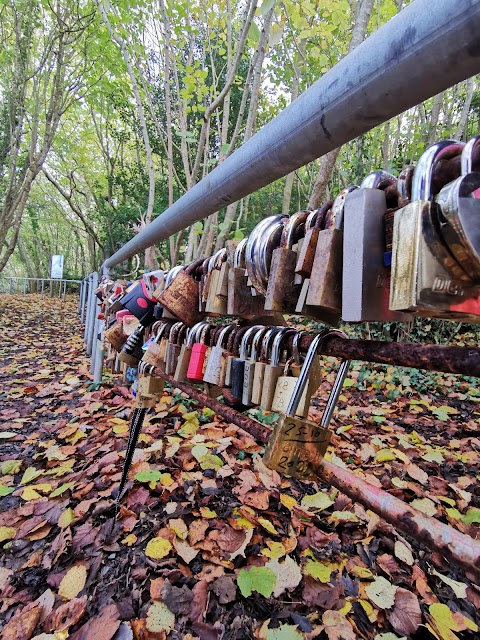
417, 54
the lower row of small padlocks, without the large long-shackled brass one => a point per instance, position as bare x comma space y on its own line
249, 365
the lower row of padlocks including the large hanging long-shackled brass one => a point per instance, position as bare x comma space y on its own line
249, 366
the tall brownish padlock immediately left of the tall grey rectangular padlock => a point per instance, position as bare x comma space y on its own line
325, 287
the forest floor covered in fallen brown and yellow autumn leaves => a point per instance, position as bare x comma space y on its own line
209, 543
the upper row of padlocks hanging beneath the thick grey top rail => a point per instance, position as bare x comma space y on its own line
390, 249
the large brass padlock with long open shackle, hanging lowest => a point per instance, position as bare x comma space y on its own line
297, 446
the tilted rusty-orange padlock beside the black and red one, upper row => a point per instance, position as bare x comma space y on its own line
180, 297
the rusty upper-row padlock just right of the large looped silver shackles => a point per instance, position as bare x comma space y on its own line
282, 292
